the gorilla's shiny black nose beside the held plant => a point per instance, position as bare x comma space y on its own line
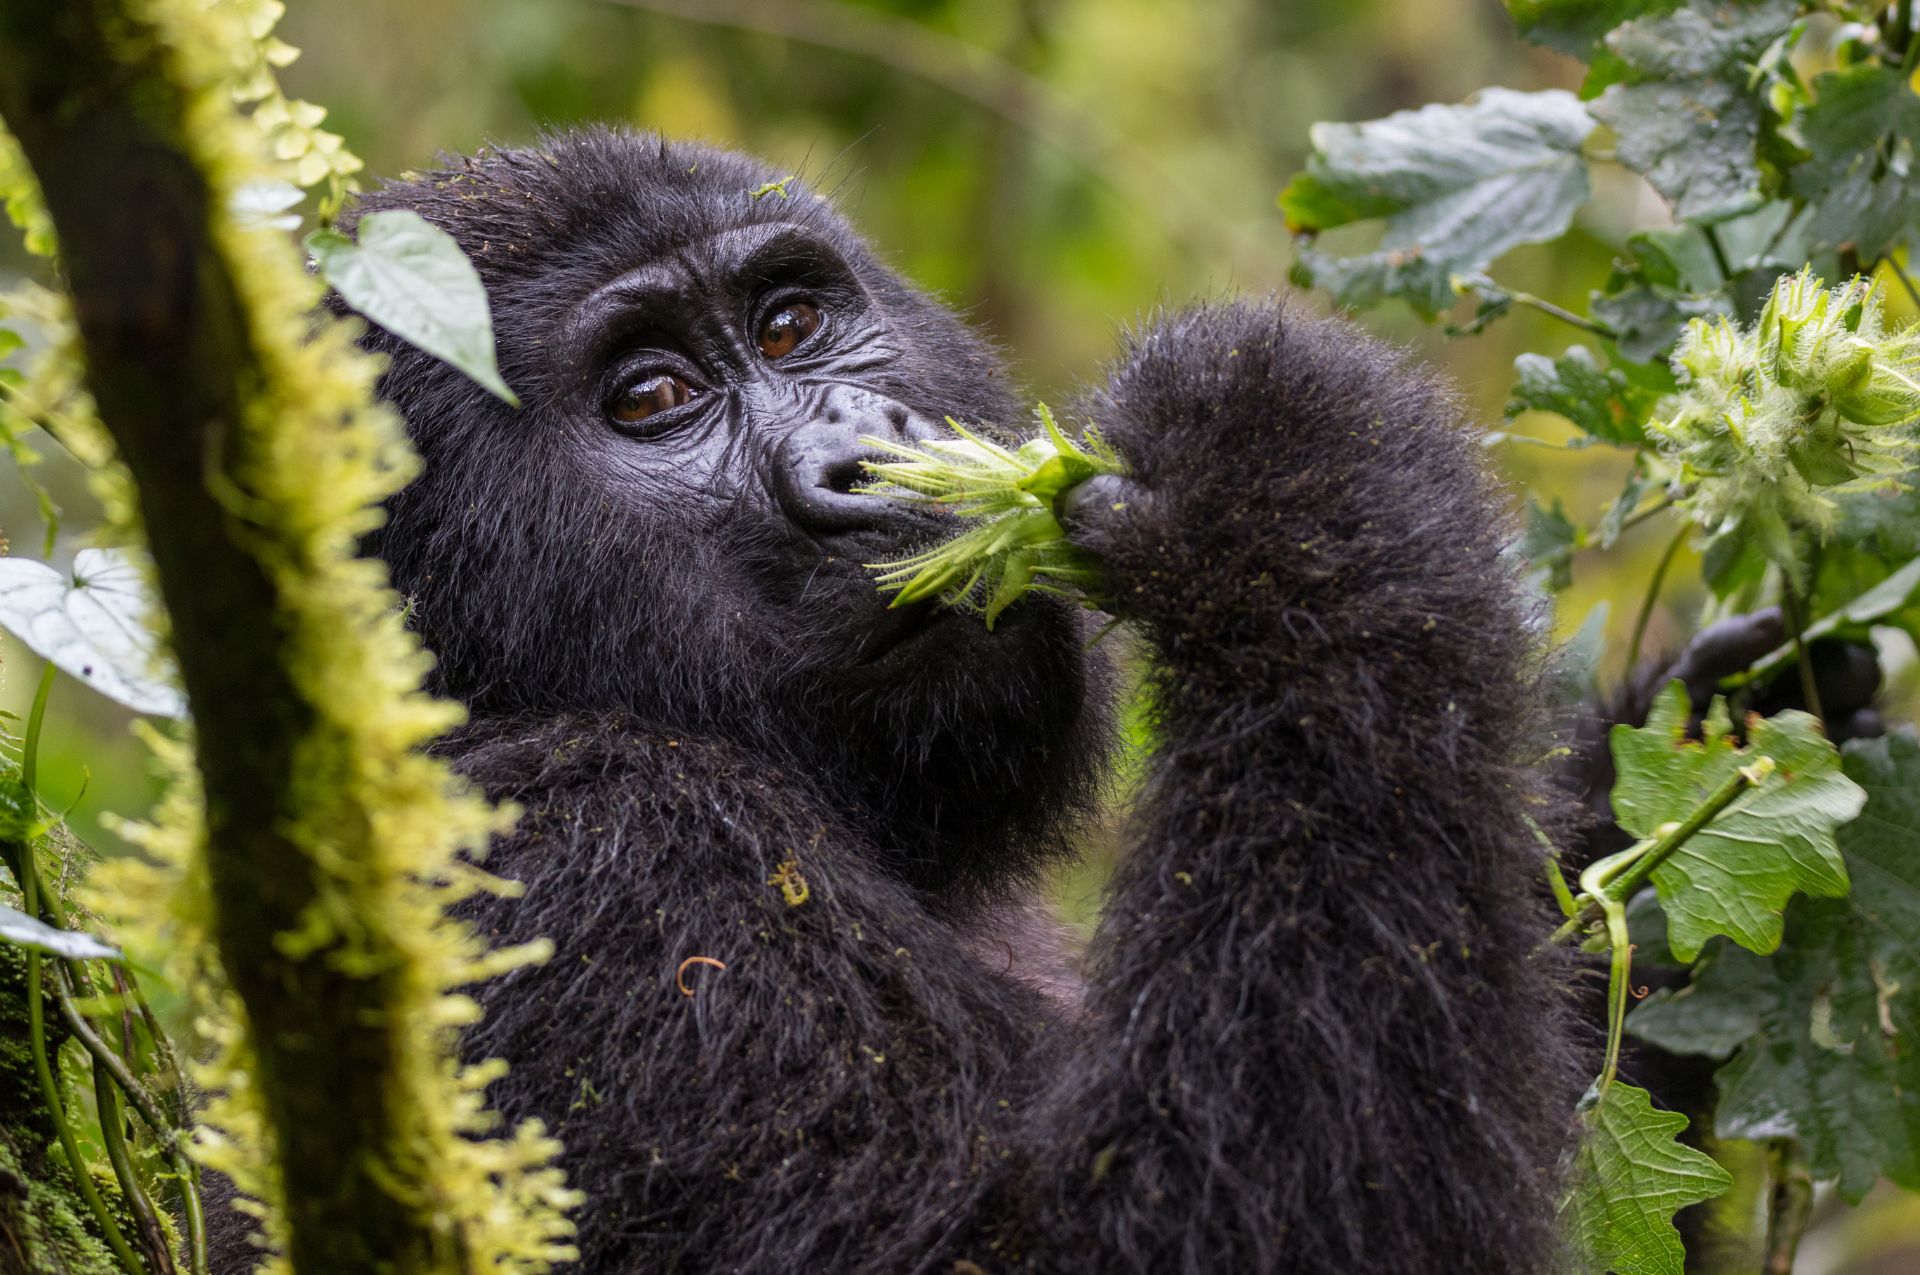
817, 469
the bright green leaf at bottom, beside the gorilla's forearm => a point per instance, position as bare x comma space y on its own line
1629, 1180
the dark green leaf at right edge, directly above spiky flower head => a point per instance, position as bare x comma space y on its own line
1861, 178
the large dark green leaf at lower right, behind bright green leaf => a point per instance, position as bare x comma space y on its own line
1829, 1028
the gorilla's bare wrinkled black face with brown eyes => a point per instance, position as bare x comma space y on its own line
725, 391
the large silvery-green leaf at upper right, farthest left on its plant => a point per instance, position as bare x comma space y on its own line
1458, 185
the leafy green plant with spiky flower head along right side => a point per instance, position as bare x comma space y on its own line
1740, 352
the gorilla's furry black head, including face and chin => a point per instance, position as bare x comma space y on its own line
669, 525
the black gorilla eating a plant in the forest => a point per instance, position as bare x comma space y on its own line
802, 1017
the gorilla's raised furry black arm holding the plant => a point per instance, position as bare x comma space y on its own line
1320, 1034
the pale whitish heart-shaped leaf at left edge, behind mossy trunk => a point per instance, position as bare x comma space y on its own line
93, 627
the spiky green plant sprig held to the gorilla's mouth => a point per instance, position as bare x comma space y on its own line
1013, 498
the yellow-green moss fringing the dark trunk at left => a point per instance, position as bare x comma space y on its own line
383, 827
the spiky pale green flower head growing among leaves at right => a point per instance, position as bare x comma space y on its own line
1773, 421
